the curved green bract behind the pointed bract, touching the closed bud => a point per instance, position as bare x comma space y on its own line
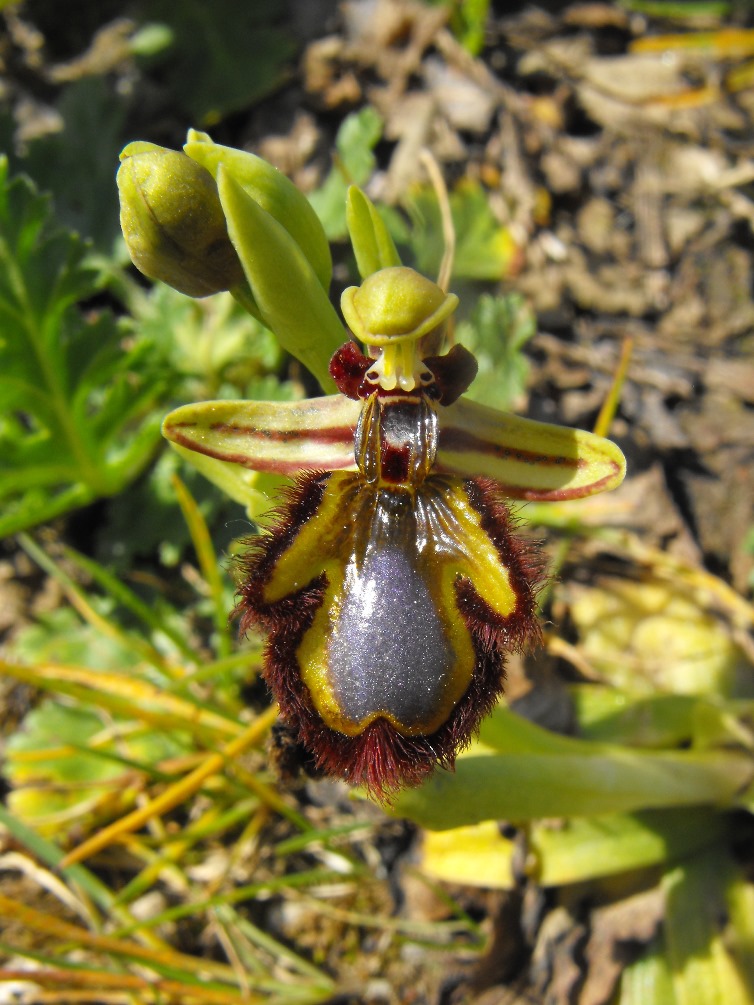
272, 190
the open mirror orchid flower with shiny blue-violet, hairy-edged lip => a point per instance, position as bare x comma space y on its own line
393, 582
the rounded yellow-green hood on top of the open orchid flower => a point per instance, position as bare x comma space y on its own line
396, 305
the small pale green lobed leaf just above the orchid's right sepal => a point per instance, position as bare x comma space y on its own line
497, 332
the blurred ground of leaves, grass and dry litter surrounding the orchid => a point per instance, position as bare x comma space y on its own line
596, 846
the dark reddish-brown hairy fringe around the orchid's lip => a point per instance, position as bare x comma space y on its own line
382, 758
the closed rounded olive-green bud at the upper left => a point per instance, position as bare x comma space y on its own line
173, 222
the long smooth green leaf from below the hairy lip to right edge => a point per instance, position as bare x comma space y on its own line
519, 771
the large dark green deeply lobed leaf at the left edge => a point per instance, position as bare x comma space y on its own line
79, 420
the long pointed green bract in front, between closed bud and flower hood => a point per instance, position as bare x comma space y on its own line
290, 297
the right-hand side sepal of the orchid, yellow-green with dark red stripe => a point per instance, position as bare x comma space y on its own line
531, 461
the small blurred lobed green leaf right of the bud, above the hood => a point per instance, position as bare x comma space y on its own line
354, 164
